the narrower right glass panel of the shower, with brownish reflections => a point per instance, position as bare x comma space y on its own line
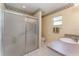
31, 35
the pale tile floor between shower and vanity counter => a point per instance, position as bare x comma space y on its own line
43, 51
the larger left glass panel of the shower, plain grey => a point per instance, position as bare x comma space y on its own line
14, 34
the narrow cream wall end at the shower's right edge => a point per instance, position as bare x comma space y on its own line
39, 15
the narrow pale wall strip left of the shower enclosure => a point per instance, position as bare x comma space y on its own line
1, 27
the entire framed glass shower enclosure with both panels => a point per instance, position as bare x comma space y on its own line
21, 34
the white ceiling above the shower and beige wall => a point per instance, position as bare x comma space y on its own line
33, 7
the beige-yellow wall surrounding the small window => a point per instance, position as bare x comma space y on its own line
70, 23
